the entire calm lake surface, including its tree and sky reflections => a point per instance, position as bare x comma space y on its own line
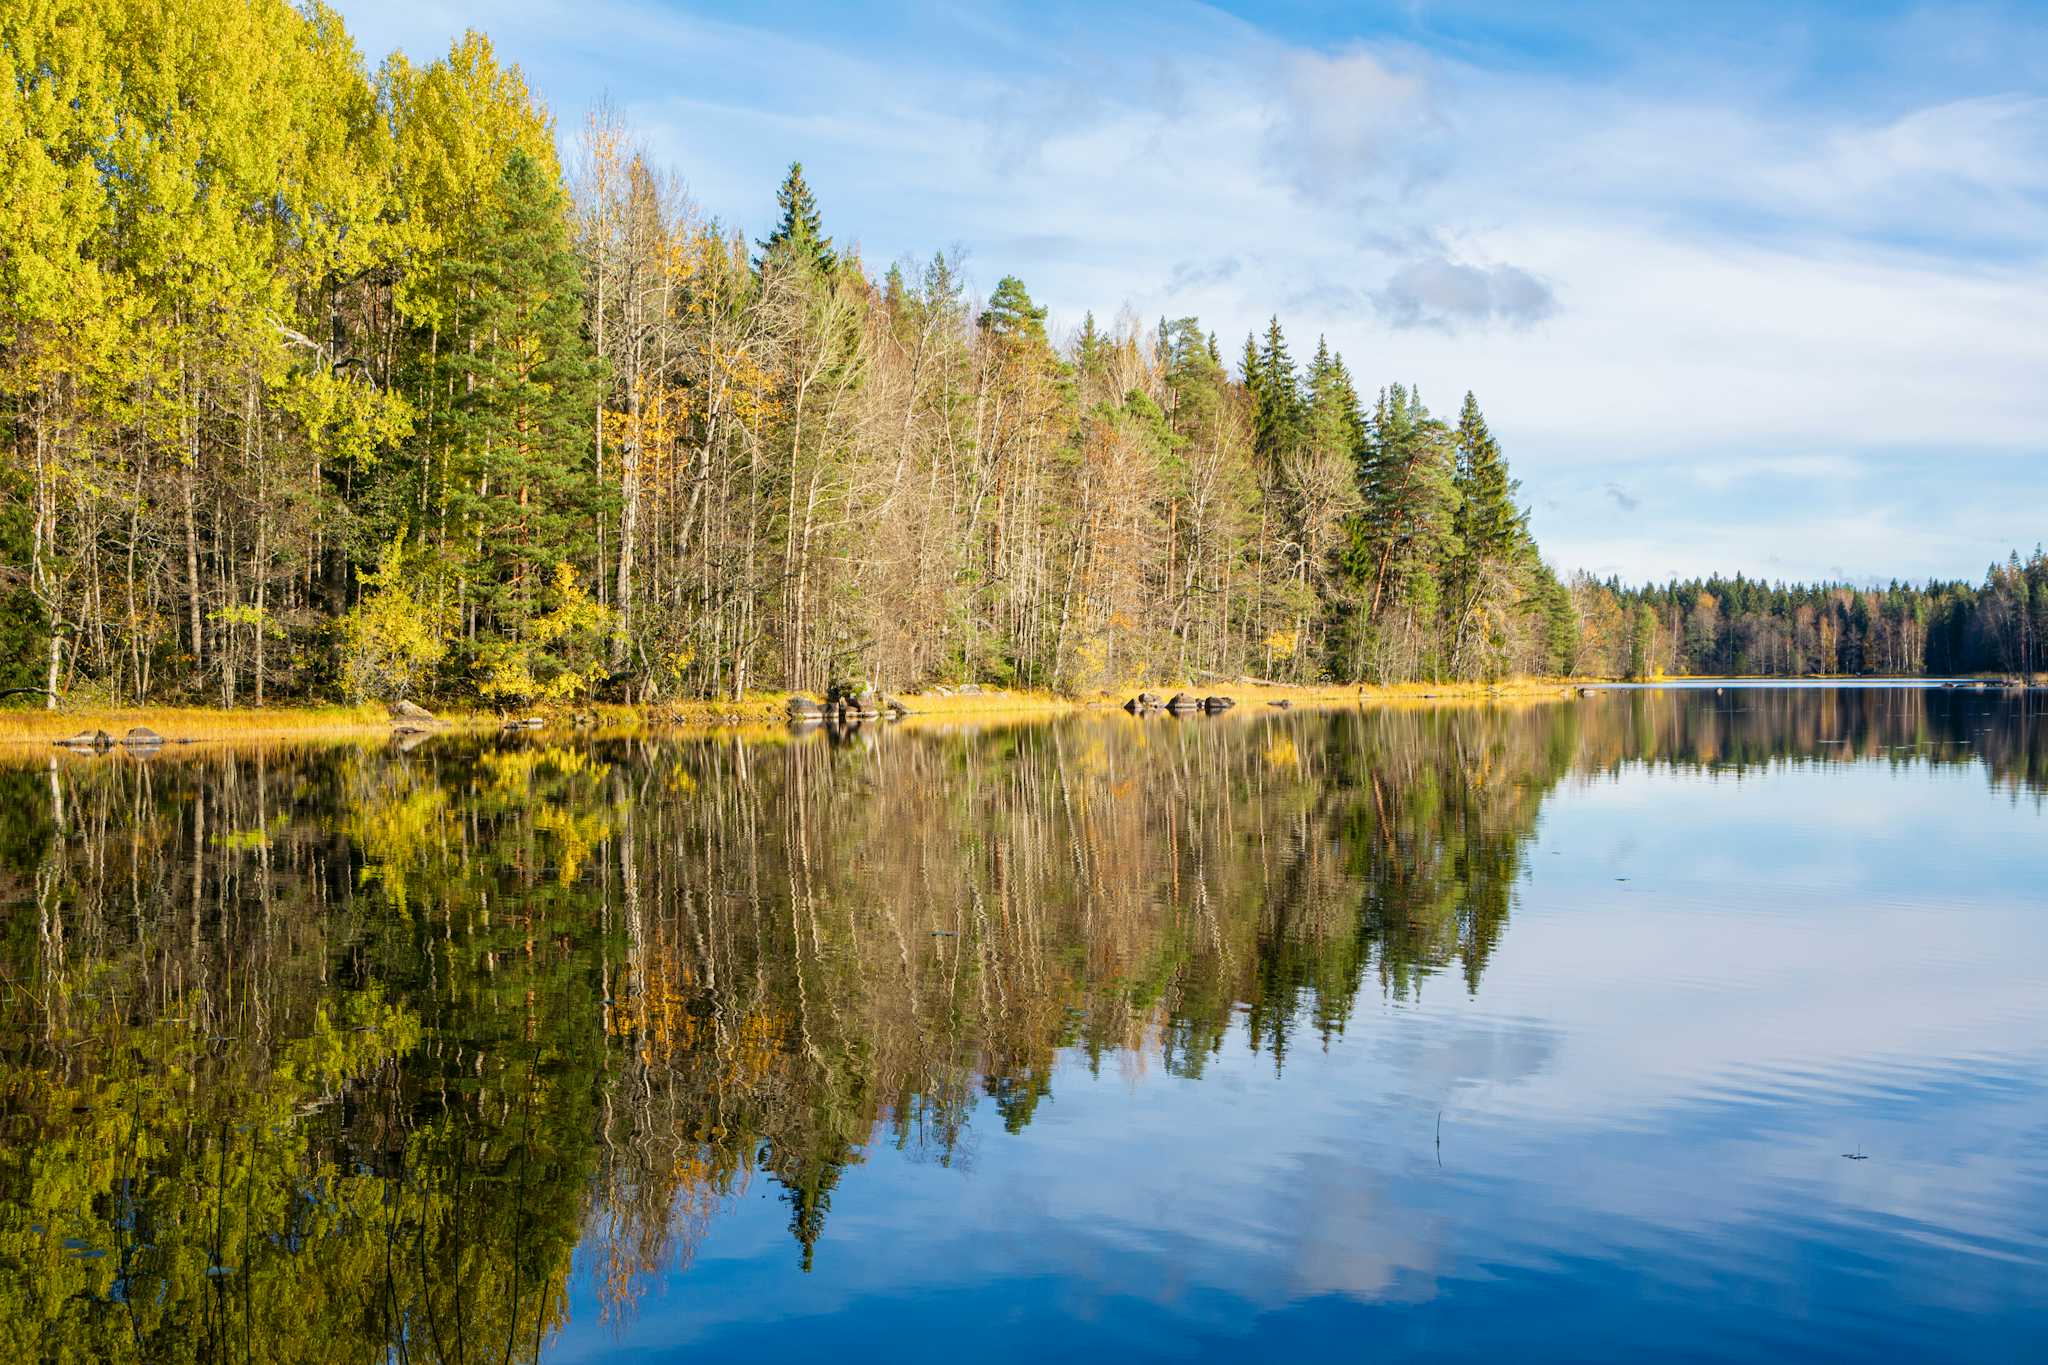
1656, 1024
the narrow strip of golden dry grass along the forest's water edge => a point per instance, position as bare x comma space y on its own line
271, 723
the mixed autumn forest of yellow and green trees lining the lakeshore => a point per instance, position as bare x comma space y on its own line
327, 382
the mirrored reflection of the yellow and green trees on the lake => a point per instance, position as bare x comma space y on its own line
337, 1053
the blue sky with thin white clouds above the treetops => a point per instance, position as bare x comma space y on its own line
1742, 288
